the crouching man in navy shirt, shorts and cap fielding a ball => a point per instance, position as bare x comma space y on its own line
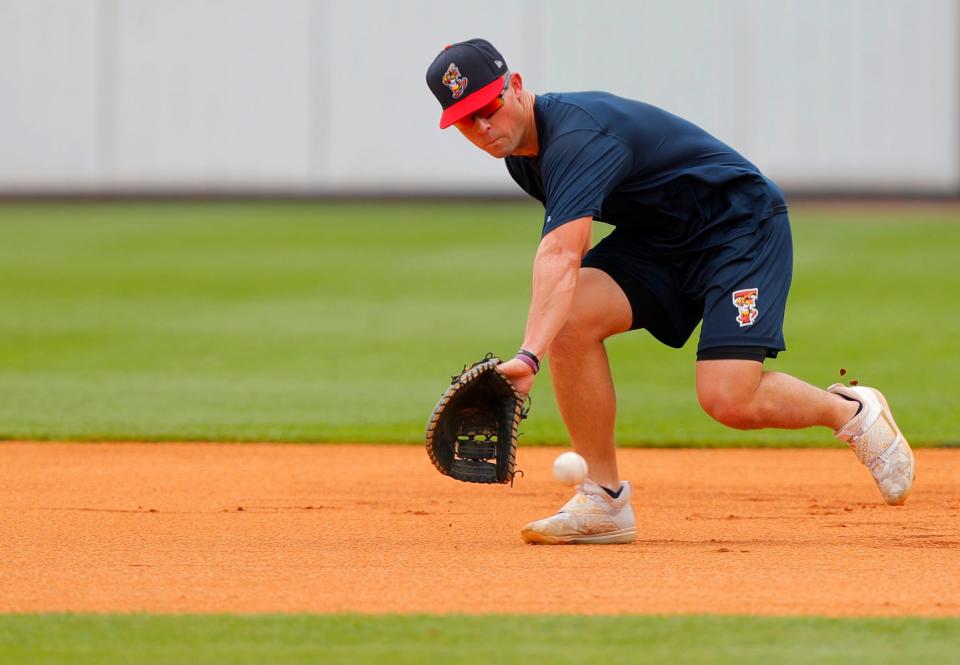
700, 234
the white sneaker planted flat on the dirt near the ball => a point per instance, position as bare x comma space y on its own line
591, 516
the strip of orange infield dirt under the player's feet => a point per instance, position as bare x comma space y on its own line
295, 528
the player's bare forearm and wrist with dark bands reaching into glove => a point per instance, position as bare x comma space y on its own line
555, 271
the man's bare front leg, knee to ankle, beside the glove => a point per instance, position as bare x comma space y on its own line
581, 371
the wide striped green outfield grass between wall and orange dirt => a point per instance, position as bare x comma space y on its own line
316, 322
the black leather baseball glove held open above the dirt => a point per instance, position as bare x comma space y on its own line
472, 432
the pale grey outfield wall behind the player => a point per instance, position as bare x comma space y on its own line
328, 97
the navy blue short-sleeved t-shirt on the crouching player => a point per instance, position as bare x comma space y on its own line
634, 165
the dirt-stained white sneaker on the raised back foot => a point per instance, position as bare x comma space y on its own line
876, 440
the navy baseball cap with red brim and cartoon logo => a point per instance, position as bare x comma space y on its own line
465, 77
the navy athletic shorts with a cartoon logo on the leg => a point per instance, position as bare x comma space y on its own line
738, 289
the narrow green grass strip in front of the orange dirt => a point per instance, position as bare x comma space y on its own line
422, 640
